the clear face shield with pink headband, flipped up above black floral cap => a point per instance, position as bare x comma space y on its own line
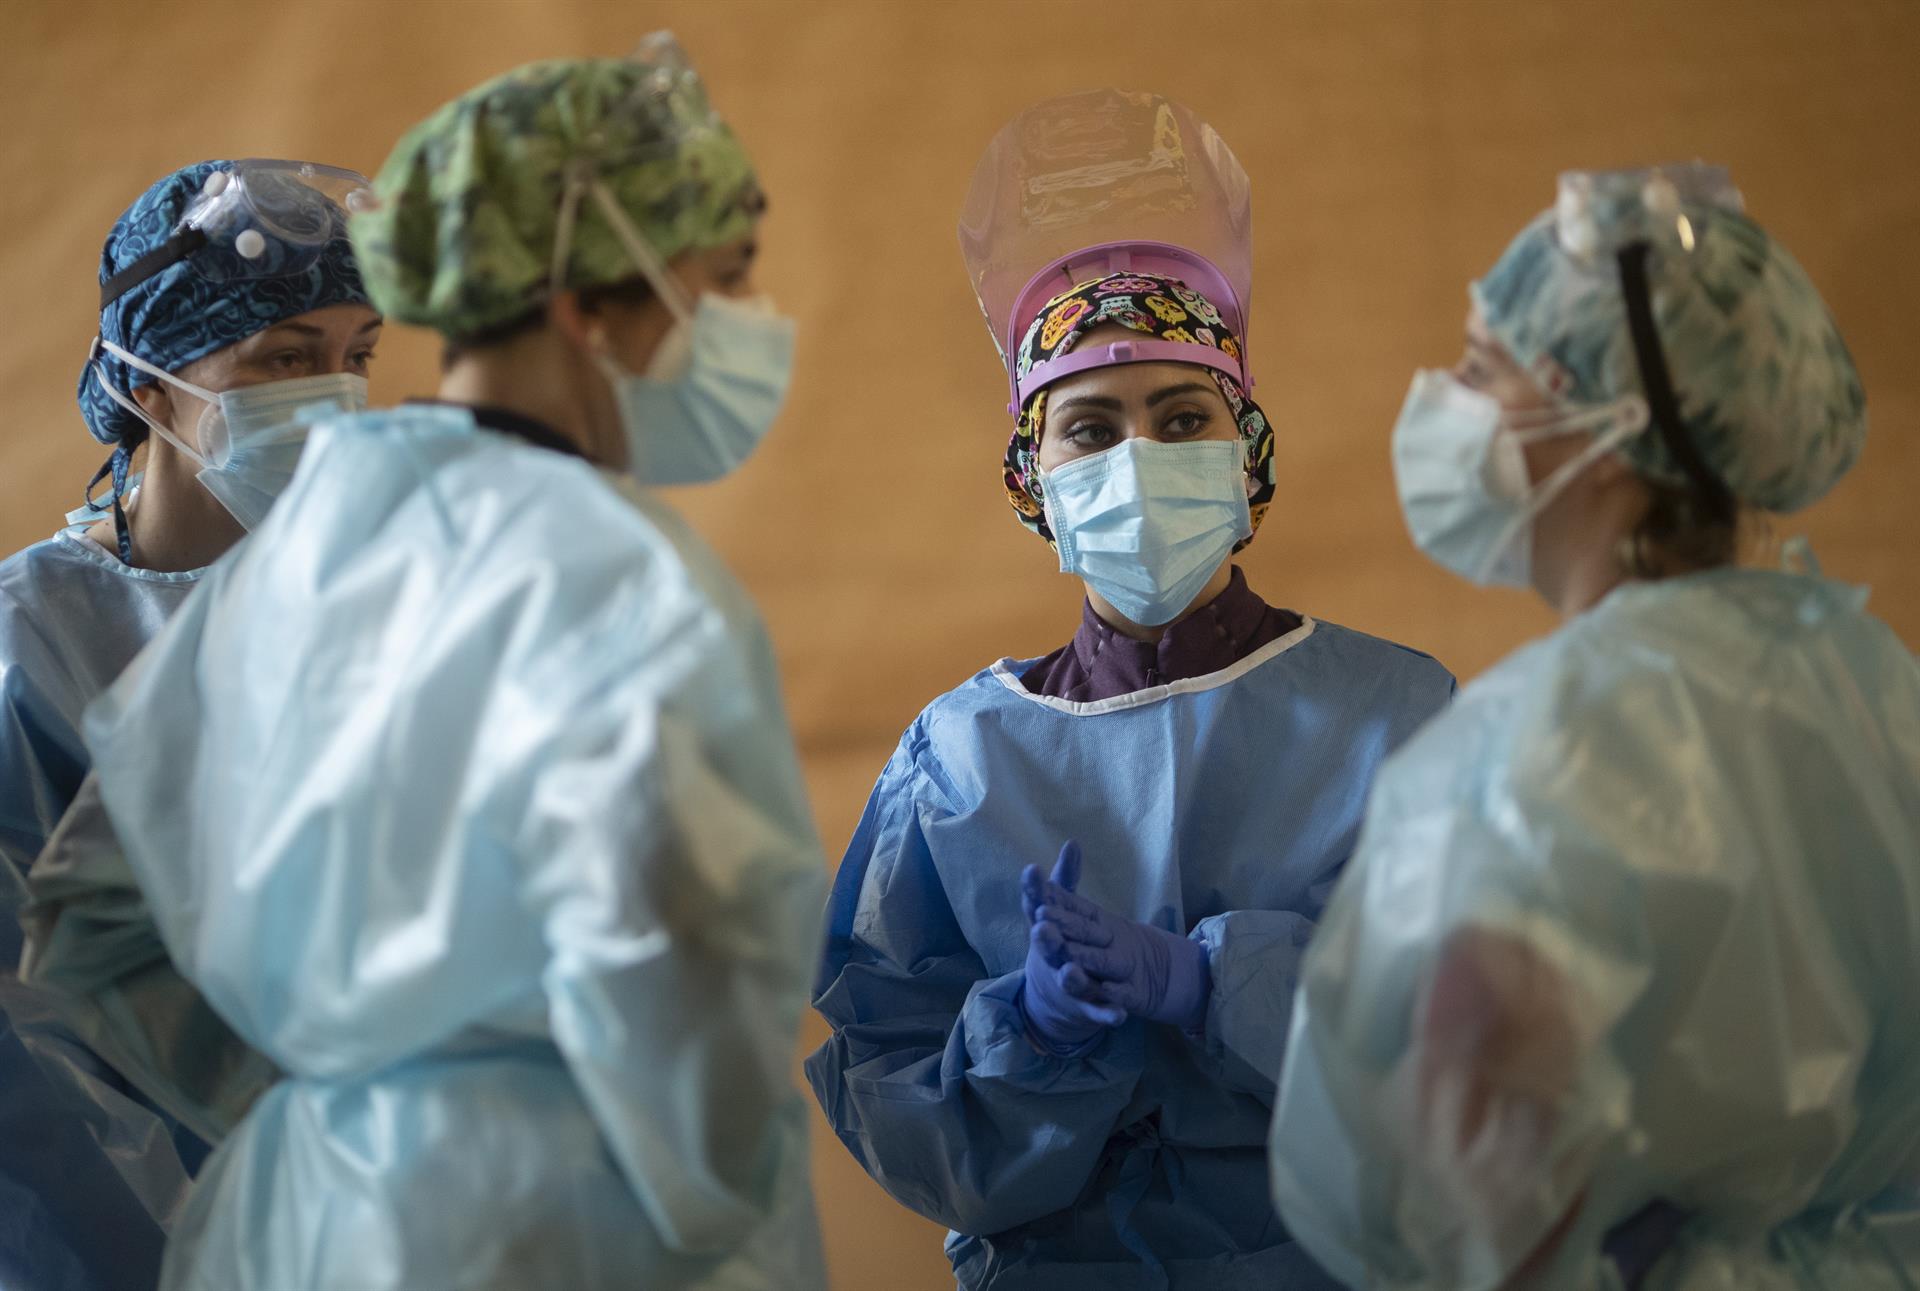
1097, 183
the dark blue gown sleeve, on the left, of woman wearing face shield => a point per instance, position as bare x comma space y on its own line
930, 1079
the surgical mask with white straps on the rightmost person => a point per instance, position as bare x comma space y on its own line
1462, 475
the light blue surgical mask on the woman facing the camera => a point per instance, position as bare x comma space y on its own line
1149, 524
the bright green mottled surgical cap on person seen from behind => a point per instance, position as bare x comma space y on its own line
469, 205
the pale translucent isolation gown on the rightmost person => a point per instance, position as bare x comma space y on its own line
1637, 921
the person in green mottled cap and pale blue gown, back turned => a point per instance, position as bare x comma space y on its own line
464, 792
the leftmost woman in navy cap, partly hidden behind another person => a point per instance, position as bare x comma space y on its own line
228, 301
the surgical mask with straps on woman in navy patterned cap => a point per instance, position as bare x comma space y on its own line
251, 439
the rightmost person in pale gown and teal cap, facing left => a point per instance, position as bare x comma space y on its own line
1633, 933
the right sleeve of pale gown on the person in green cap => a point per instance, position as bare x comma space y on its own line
679, 889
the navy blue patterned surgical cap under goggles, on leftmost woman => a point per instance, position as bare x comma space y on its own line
178, 316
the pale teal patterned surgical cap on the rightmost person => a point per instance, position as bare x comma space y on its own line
1762, 376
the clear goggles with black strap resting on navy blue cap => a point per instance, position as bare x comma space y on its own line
258, 220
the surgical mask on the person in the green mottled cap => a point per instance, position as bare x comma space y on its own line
709, 395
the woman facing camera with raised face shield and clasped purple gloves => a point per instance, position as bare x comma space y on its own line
1065, 937
